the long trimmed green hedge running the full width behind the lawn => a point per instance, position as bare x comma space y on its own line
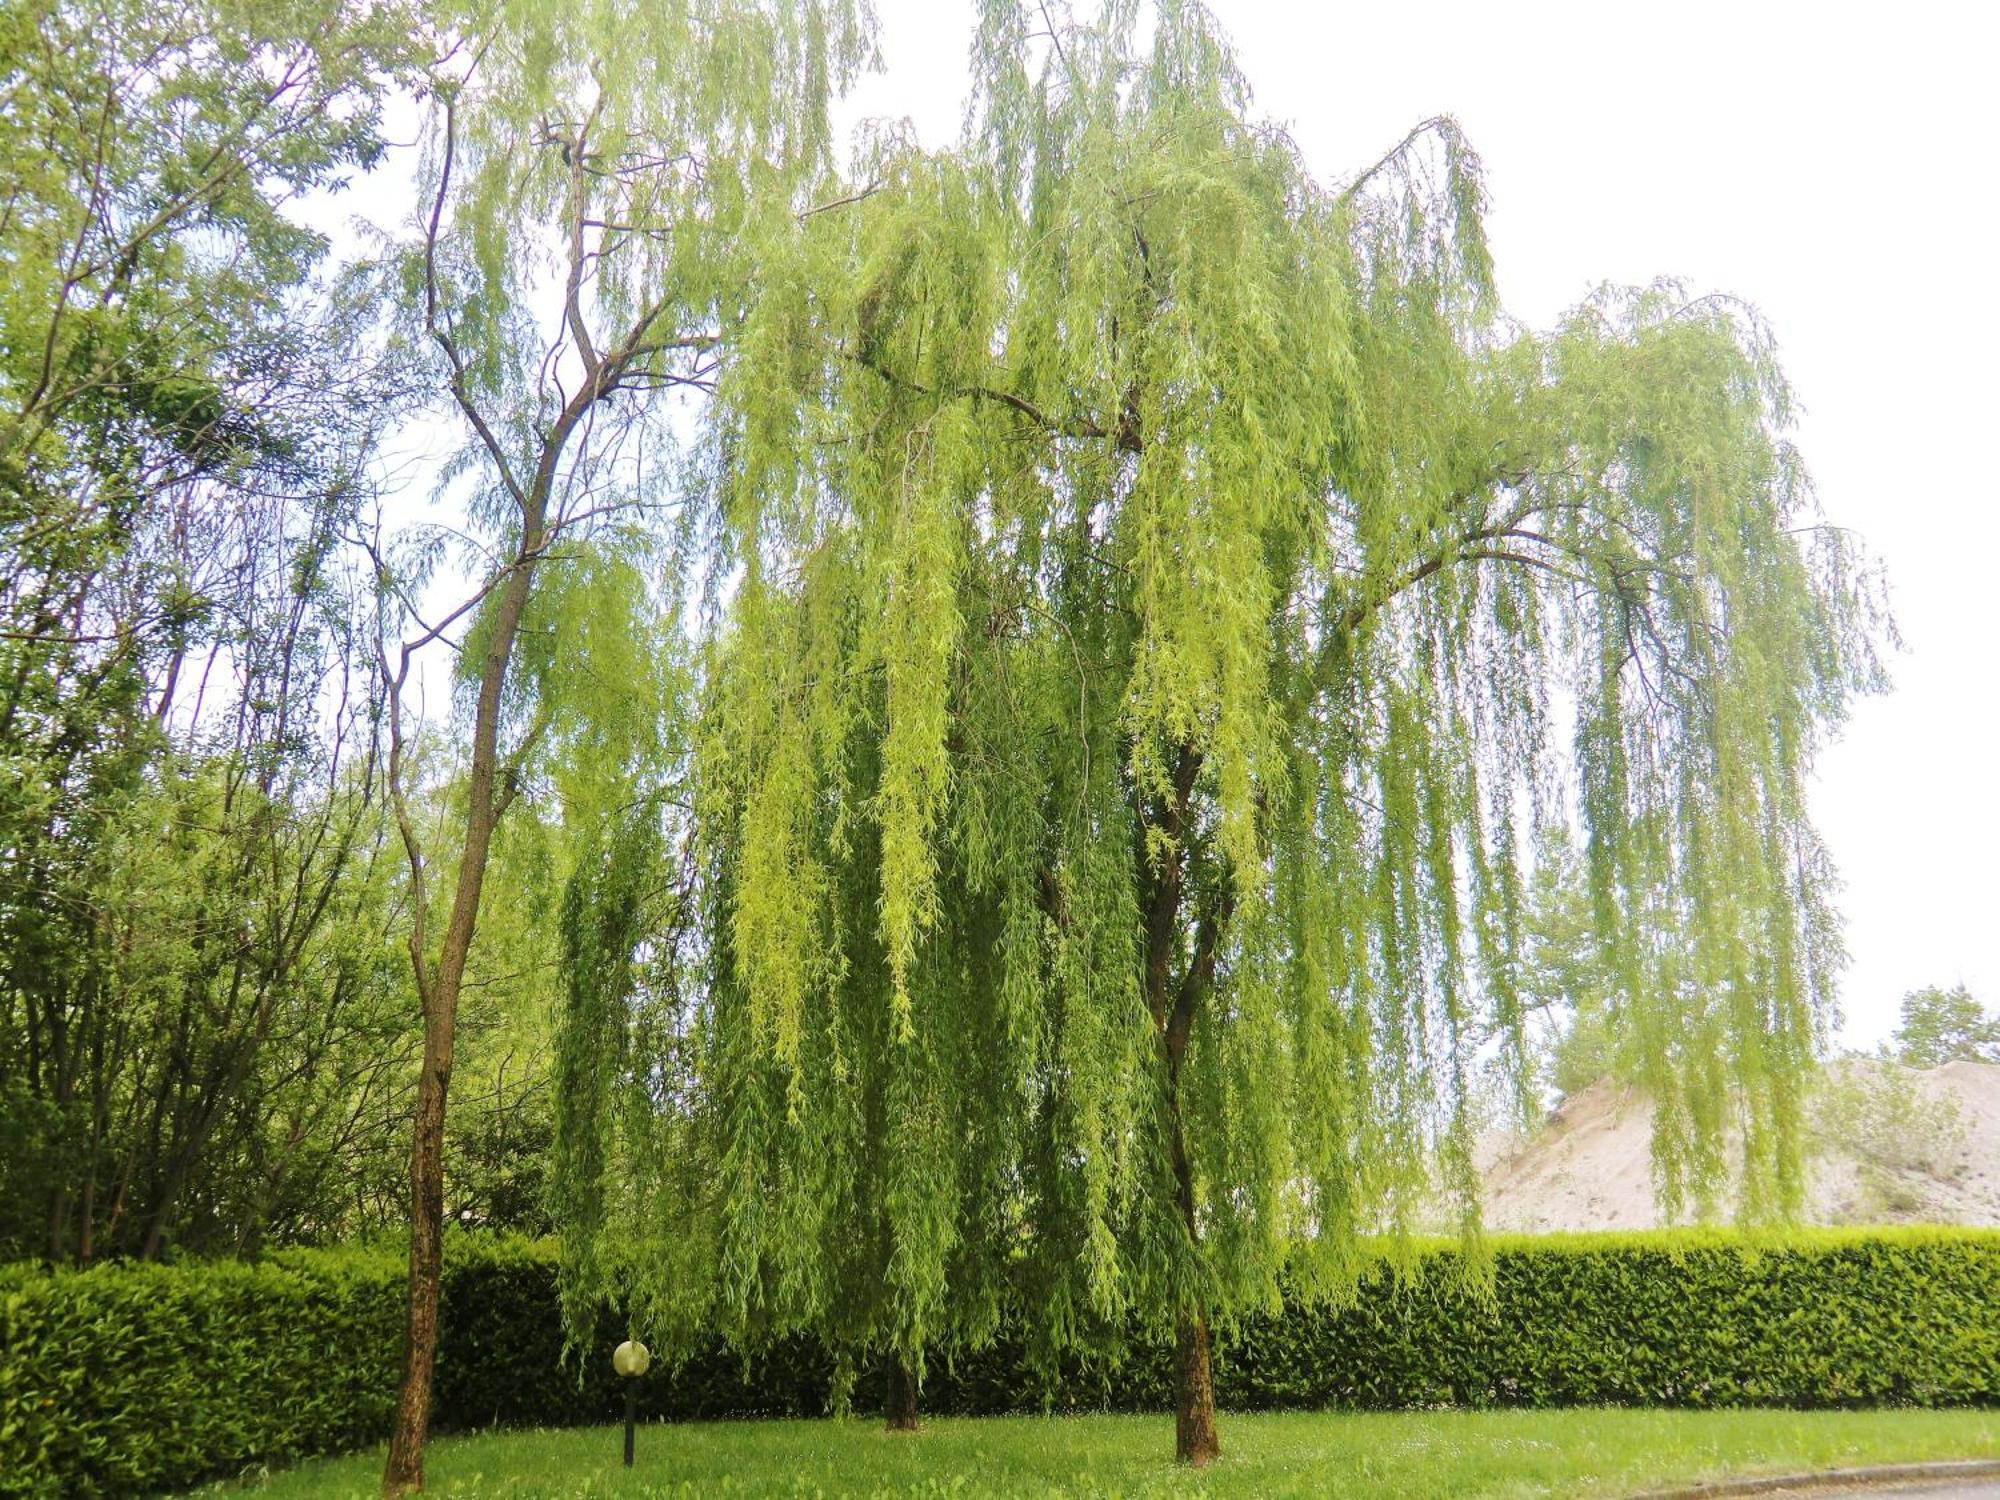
135, 1379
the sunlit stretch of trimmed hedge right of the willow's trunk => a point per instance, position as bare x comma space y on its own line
1825, 1319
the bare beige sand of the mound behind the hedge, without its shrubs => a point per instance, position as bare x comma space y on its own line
1589, 1169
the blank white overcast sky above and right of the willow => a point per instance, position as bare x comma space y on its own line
1835, 165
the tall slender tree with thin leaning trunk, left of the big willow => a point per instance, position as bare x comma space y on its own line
599, 181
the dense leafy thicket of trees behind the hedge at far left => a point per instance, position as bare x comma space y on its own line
183, 443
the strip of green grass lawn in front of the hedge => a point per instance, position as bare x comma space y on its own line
1407, 1457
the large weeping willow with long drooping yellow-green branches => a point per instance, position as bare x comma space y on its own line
1169, 601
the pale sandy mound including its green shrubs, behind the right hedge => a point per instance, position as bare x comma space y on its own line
1891, 1147
